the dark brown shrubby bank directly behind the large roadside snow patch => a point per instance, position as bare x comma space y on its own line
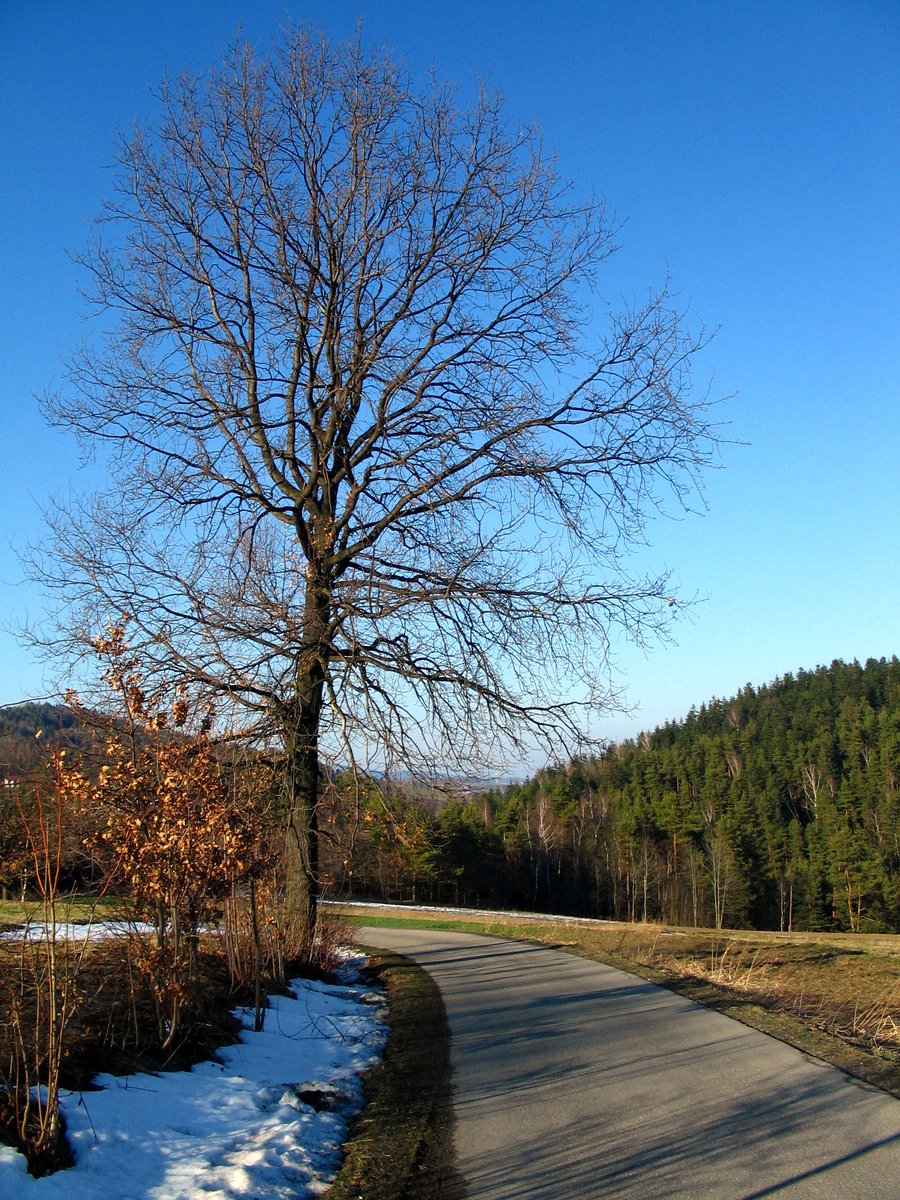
113, 1018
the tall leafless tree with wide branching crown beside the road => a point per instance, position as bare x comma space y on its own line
377, 449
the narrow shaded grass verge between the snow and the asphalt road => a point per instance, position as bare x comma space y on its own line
401, 1145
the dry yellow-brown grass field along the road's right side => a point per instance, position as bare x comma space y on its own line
833, 995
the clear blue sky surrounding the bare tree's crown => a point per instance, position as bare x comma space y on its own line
754, 152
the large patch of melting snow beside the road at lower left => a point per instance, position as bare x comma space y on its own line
268, 1121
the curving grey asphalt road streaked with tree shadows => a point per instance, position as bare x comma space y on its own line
577, 1081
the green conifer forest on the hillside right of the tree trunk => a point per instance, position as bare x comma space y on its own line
777, 809
